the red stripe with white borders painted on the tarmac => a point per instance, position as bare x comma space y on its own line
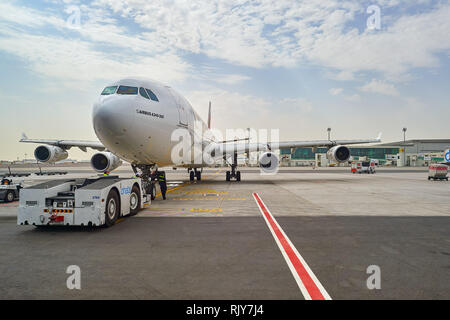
309, 285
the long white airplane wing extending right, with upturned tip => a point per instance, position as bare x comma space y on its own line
231, 148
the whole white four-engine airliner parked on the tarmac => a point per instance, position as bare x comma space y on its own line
134, 119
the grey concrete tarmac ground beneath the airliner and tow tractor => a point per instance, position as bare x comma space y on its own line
209, 240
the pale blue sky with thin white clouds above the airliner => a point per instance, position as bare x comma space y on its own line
359, 67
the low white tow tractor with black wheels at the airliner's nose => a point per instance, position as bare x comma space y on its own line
81, 202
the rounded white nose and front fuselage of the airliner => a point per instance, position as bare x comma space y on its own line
138, 127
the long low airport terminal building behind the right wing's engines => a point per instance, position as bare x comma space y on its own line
414, 153
